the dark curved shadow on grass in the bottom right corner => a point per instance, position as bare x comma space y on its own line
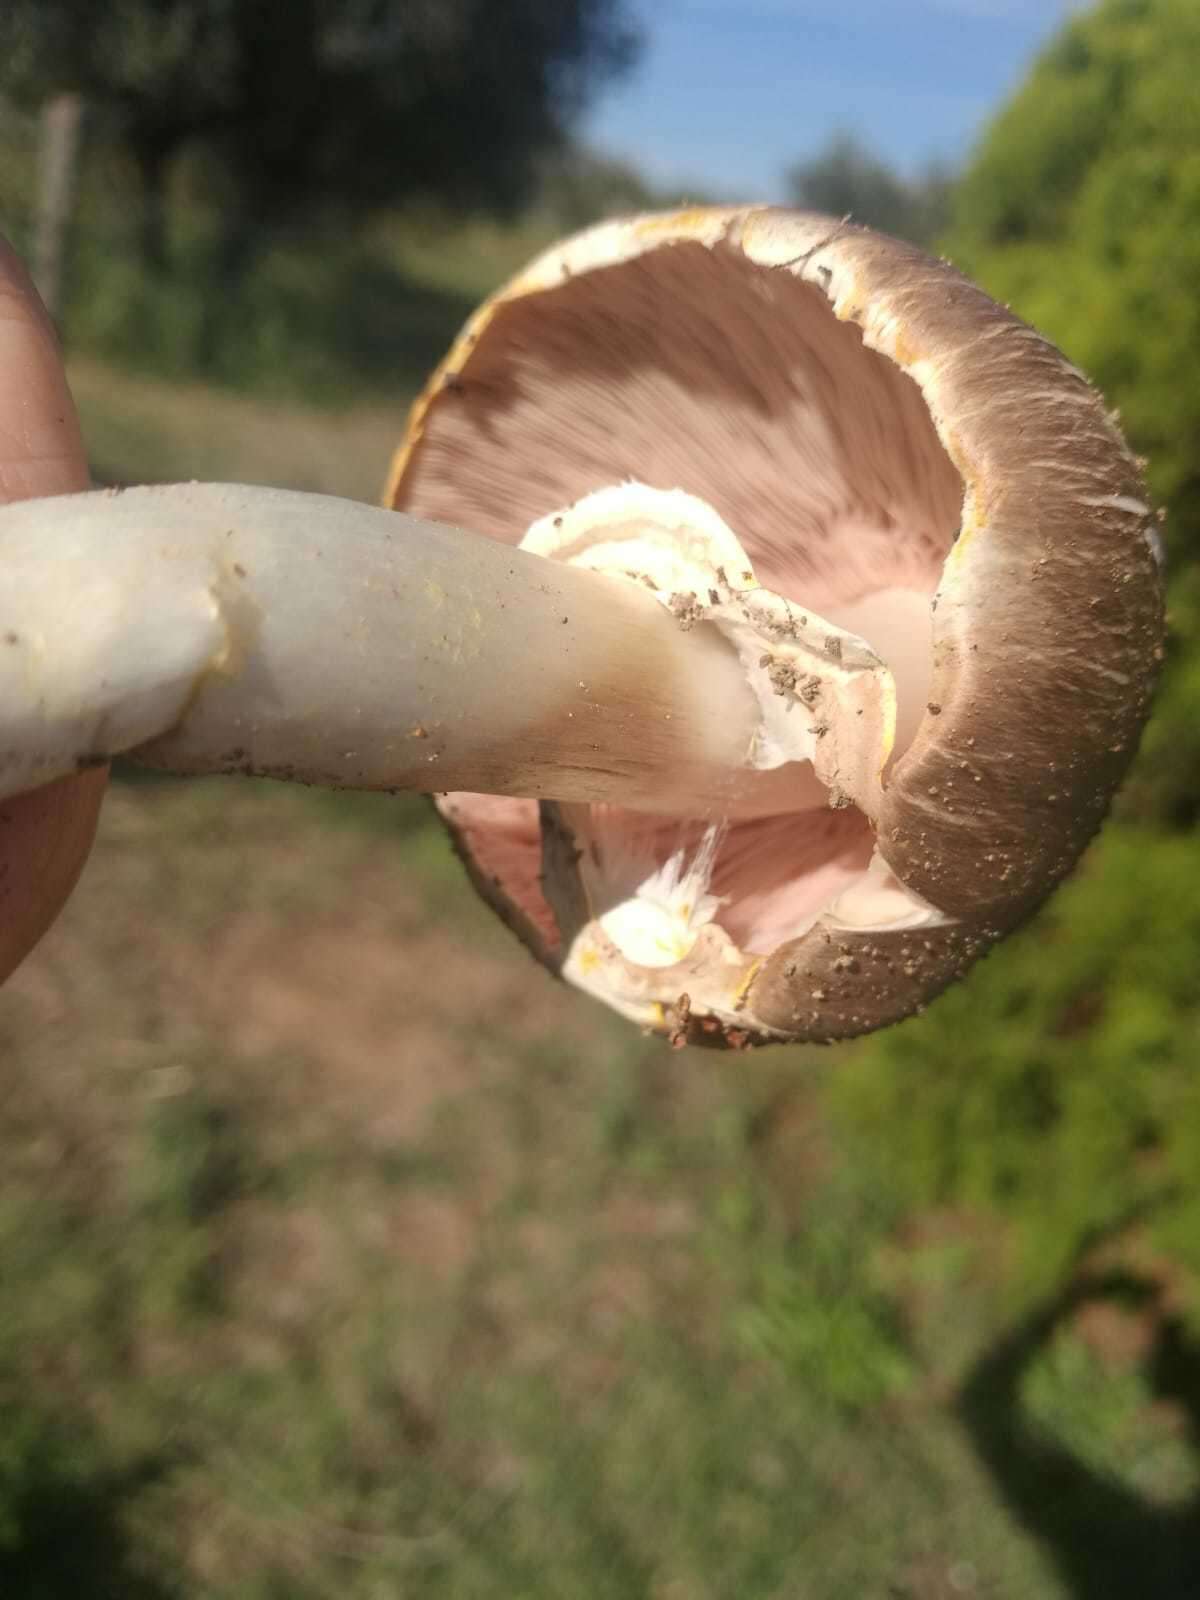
1105, 1538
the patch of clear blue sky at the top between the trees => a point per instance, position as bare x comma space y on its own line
730, 92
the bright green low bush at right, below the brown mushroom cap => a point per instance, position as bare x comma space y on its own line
1058, 1087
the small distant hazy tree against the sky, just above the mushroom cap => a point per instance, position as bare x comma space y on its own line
849, 180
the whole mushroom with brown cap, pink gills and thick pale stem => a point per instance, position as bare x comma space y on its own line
809, 622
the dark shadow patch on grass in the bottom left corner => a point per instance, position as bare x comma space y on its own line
63, 1522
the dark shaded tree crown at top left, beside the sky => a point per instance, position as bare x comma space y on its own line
324, 103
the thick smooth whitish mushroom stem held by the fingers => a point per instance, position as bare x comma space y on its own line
220, 628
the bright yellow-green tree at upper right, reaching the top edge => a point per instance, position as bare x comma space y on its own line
1082, 209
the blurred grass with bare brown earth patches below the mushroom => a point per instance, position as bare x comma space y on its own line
348, 1255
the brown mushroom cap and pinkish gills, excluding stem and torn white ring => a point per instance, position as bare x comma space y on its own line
868, 422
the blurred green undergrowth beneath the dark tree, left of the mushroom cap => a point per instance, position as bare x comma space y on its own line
330, 316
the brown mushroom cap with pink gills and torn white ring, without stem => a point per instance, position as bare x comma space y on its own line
913, 524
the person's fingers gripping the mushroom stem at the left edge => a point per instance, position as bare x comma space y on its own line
44, 836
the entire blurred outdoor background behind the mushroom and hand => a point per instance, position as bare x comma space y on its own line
342, 1252
